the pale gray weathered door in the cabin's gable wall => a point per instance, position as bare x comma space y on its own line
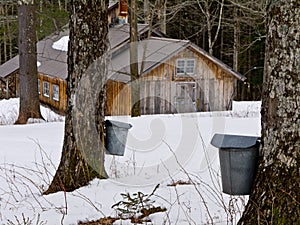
185, 98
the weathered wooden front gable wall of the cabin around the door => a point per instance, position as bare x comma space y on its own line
213, 87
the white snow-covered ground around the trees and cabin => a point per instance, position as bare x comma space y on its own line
161, 149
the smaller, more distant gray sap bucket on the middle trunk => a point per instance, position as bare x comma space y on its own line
116, 135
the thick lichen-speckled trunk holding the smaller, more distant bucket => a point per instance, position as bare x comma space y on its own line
83, 150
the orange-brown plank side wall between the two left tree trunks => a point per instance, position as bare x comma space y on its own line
60, 105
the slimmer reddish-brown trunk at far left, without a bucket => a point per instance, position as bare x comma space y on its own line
28, 76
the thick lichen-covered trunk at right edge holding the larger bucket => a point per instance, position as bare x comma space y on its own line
275, 196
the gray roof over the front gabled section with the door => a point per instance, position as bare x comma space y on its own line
152, 53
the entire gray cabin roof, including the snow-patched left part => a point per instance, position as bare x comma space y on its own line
52, 61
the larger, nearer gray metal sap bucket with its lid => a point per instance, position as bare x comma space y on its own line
238, 160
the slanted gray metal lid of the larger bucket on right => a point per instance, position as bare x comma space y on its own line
233, 141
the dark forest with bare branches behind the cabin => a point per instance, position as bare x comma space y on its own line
231, 30
